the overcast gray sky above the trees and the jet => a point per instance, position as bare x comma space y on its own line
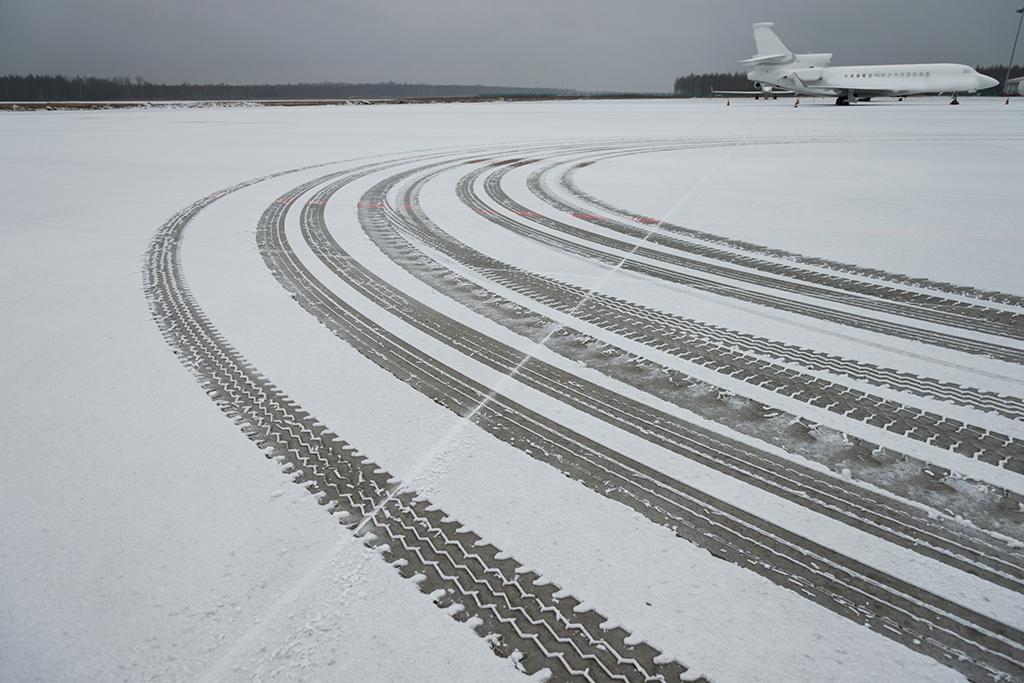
598, 45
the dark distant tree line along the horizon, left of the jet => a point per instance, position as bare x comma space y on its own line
64, 89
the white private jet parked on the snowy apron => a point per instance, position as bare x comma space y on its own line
776, 67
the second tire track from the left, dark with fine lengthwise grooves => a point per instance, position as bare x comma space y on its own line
924, 622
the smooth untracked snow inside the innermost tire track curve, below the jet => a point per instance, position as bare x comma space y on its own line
937, 210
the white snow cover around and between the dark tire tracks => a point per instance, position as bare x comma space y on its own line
145, 537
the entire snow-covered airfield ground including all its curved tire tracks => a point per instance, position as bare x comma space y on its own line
575, 370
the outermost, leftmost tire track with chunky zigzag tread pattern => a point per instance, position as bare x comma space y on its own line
518, 614
